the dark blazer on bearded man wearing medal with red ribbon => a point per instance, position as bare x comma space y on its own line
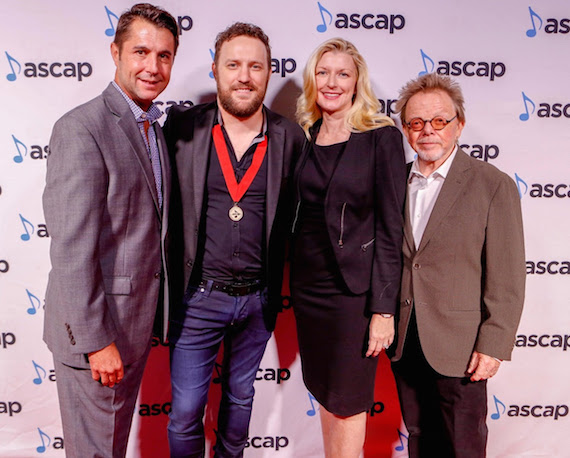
188, 133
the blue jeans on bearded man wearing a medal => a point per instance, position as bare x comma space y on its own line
207, 318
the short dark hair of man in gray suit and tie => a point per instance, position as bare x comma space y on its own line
147, 12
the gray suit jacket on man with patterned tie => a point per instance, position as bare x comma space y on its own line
107, 232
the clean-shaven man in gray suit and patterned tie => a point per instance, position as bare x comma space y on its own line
105, 203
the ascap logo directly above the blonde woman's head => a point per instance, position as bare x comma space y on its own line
367, 21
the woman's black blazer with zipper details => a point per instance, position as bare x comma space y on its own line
363, 212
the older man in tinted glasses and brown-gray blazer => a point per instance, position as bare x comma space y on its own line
463, 279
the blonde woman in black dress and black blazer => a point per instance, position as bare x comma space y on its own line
350, 183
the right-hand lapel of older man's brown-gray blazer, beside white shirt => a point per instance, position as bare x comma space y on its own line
448, 195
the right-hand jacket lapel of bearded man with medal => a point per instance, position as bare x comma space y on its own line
275, 150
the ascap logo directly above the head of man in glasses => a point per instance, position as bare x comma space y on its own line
491, 70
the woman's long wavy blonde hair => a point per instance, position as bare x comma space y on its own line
364, 113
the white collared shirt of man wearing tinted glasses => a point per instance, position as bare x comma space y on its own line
423, 192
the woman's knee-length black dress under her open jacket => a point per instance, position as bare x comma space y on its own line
332, 323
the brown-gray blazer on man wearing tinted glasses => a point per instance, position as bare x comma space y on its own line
466, 280
